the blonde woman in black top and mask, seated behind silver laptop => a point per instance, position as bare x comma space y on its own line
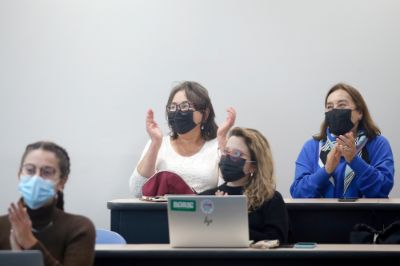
246, 165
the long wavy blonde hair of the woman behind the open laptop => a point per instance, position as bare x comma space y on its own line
261, 185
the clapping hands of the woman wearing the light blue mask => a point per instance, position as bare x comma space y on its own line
21, 227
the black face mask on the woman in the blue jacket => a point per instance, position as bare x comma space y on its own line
339, 121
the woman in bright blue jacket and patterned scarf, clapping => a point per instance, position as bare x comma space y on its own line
349, 158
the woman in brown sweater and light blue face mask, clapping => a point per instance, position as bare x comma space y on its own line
35, 222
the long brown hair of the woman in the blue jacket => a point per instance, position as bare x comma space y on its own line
366, 123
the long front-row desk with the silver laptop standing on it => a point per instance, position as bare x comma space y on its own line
323, 254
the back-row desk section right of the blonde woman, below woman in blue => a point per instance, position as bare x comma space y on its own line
330, 221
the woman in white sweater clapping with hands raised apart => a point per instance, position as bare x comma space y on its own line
191, 149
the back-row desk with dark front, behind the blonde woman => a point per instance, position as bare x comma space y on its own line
316, 220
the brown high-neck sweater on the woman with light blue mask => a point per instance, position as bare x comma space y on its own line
63, 238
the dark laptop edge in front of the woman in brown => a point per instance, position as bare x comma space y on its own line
21, 258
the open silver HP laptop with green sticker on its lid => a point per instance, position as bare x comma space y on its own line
208, 221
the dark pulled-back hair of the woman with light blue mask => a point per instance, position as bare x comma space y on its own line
63, 162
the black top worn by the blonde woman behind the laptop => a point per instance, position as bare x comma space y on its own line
269, 221
